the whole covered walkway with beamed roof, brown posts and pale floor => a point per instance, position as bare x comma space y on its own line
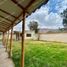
11, 13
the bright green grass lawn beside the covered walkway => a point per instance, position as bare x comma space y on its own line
41, 54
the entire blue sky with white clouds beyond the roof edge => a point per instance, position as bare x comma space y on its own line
48, 16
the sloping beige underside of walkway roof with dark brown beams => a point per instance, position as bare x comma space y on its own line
11, 11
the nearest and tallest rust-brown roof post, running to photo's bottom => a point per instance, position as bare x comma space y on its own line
22, 48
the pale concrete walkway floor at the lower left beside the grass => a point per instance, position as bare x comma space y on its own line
4, 60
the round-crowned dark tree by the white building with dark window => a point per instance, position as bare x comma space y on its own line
33, 26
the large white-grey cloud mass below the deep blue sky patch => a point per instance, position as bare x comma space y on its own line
46, 19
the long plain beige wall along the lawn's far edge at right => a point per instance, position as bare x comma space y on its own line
59, 37
